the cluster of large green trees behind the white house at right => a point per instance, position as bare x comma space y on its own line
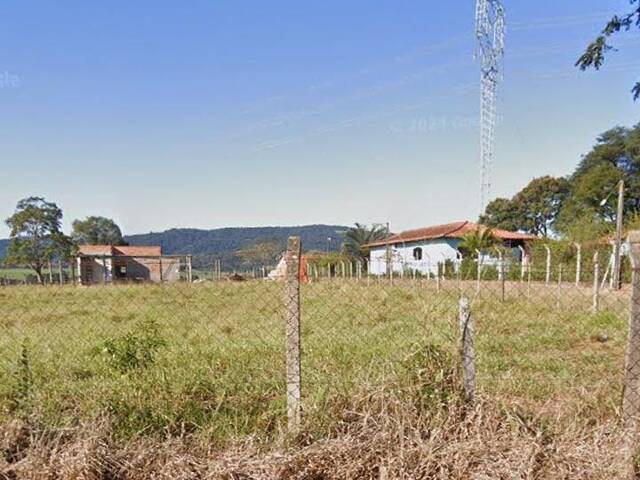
573, 206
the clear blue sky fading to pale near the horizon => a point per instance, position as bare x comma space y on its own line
208, 114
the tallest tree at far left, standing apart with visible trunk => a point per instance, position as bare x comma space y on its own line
36, 235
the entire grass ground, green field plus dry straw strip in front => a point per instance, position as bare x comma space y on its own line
163, 371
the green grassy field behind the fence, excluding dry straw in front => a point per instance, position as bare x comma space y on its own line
164, 361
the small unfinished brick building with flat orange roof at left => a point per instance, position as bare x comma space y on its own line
98, 264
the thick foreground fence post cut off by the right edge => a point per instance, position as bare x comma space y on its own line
631, 398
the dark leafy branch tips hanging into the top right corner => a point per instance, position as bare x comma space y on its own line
595, 53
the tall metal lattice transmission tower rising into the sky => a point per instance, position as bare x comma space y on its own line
490, 28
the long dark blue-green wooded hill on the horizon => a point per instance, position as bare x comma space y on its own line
221, 244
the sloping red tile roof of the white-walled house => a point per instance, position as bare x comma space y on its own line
448, 230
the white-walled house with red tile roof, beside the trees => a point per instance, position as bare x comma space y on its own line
424, 248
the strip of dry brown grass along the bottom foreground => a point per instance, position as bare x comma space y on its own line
456, 443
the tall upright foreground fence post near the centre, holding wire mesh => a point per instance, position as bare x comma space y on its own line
292, 302
